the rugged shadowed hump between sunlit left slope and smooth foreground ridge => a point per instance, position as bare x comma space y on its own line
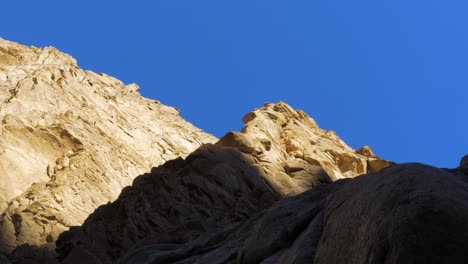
213, 190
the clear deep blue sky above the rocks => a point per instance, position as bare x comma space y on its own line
389, 74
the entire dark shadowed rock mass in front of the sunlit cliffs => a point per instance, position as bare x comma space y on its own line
215, 207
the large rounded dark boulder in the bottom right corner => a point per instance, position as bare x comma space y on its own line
409, 213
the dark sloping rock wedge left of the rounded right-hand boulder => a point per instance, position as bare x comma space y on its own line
293, 223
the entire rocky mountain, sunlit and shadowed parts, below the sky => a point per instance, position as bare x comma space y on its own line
92, 172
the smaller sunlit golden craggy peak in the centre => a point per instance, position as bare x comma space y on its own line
289, 146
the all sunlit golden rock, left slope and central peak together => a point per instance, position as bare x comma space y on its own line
72, 139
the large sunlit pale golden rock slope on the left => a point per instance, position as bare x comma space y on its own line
70, 140
